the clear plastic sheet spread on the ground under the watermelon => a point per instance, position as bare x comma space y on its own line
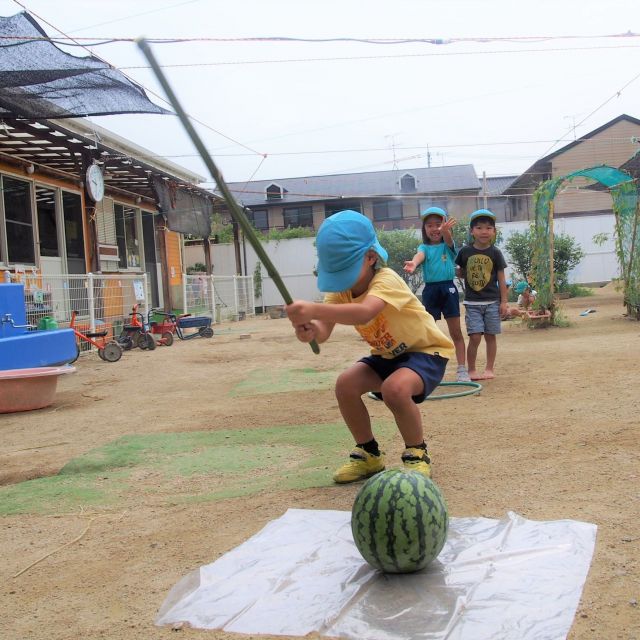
494, 579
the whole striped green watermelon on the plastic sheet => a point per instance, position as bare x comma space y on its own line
399, 521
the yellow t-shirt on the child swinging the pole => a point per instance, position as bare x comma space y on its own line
403, 325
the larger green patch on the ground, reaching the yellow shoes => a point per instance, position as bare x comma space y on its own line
178, 468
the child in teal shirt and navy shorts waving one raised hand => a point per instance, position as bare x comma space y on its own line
437, 255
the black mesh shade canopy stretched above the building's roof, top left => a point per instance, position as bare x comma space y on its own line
39, 80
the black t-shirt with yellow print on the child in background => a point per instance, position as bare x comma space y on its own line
480, 268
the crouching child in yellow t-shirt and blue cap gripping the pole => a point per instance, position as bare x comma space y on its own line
409, 353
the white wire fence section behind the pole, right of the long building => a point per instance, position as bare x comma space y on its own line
221, 298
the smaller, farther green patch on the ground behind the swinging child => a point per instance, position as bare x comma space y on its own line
282, 381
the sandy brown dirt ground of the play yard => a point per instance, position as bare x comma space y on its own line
553, 436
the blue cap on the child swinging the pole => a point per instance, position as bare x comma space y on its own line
342, 241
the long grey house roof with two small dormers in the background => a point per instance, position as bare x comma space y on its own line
359, 185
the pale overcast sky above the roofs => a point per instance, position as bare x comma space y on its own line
498, 101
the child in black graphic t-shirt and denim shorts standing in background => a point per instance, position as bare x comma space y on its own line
482, 266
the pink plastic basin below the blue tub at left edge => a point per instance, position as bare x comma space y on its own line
27, 389
